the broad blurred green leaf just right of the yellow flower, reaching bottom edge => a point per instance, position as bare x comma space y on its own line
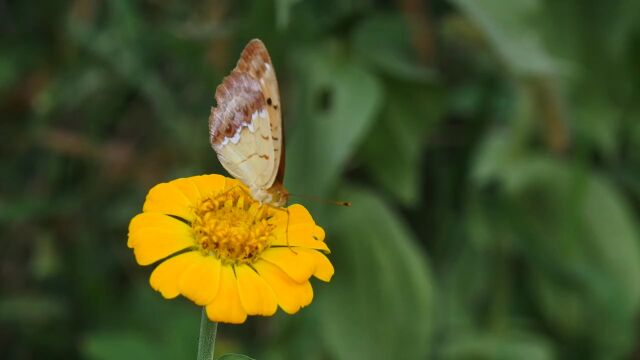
382, 284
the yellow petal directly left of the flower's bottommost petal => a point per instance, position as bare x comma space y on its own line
200, 282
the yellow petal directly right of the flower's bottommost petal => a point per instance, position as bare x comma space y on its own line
256, 296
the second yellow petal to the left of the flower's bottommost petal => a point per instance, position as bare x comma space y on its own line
166, 276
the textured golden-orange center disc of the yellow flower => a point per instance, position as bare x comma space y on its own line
233, 227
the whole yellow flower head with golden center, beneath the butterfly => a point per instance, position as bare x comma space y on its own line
223, 250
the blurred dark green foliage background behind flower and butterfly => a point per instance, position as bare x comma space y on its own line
491, 149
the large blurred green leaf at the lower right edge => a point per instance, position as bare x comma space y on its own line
582, 248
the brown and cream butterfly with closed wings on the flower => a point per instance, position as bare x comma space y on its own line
245, 127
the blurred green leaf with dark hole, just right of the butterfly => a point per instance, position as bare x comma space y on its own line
340, 102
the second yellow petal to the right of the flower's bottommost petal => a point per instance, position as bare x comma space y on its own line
291, 295
